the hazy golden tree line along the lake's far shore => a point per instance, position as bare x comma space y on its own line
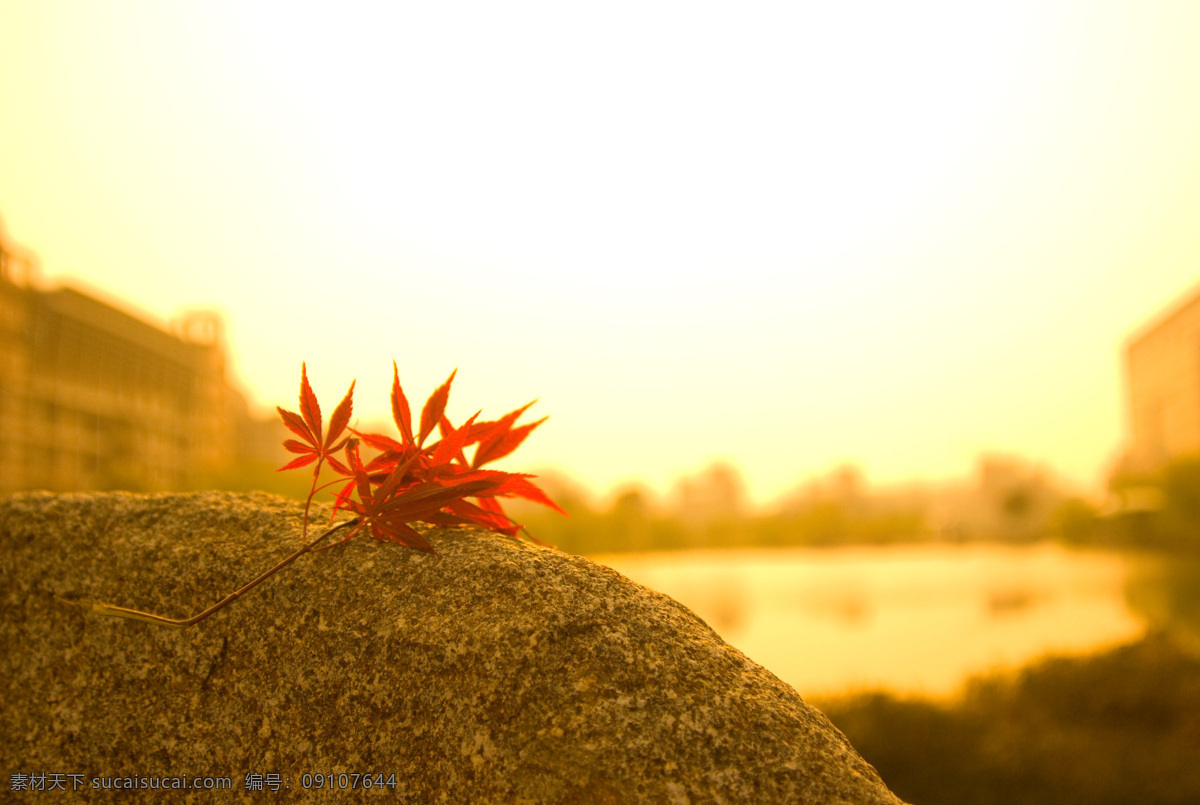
1007, 501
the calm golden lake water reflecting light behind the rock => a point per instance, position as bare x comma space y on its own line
911, 620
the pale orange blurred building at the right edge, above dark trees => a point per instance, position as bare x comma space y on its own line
1163, 371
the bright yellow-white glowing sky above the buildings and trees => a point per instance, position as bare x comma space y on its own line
789, 236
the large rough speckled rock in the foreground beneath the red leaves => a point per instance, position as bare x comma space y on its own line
500, 672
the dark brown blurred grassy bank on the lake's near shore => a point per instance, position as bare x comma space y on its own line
1118, 728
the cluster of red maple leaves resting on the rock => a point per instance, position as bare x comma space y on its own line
409, 482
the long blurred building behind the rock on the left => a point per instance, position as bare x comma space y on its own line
95, 399
